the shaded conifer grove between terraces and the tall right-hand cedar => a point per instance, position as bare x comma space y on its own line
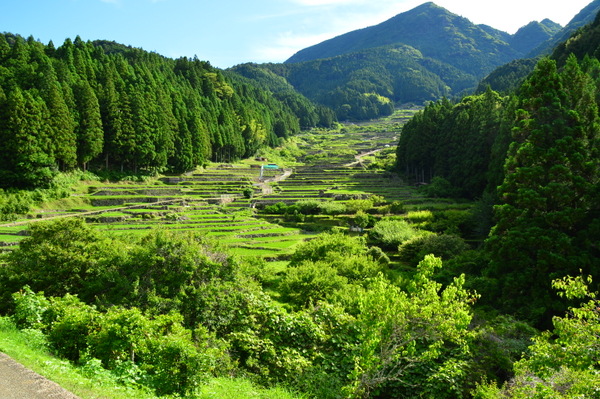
431, 148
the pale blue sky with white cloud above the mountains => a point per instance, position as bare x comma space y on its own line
230, 32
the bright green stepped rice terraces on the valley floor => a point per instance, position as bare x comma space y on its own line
215, 200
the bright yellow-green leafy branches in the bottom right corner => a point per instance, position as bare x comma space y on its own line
563, 362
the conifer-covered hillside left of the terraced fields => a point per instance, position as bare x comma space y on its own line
104, 105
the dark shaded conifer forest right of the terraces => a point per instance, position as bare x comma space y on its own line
535, 153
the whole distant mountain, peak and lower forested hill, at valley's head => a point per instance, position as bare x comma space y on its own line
420, 55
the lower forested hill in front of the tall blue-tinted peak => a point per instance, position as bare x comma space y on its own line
366, 84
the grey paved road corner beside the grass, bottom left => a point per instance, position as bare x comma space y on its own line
18, 382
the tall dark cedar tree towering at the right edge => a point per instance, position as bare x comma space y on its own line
548, 212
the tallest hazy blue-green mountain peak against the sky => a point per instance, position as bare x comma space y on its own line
436, 33
